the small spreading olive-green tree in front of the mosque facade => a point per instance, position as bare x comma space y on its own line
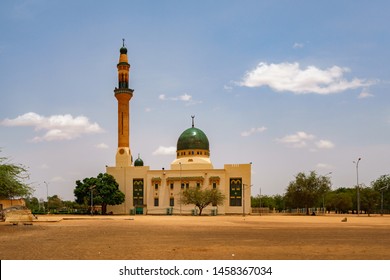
201, 198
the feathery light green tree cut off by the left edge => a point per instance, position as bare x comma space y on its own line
11, 180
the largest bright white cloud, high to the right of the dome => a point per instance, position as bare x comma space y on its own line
290, 77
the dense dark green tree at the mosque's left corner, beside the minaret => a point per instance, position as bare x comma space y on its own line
104, 188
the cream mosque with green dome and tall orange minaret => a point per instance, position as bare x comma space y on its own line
150, 191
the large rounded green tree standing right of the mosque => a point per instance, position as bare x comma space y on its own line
307, 190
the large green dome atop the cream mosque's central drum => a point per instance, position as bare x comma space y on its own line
193, 139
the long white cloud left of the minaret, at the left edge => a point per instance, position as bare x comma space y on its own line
57, 127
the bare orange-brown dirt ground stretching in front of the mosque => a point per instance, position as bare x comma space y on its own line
197, 238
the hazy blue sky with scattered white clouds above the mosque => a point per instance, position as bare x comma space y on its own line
290, 86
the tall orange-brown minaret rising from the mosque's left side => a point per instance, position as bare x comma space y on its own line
123, 94
